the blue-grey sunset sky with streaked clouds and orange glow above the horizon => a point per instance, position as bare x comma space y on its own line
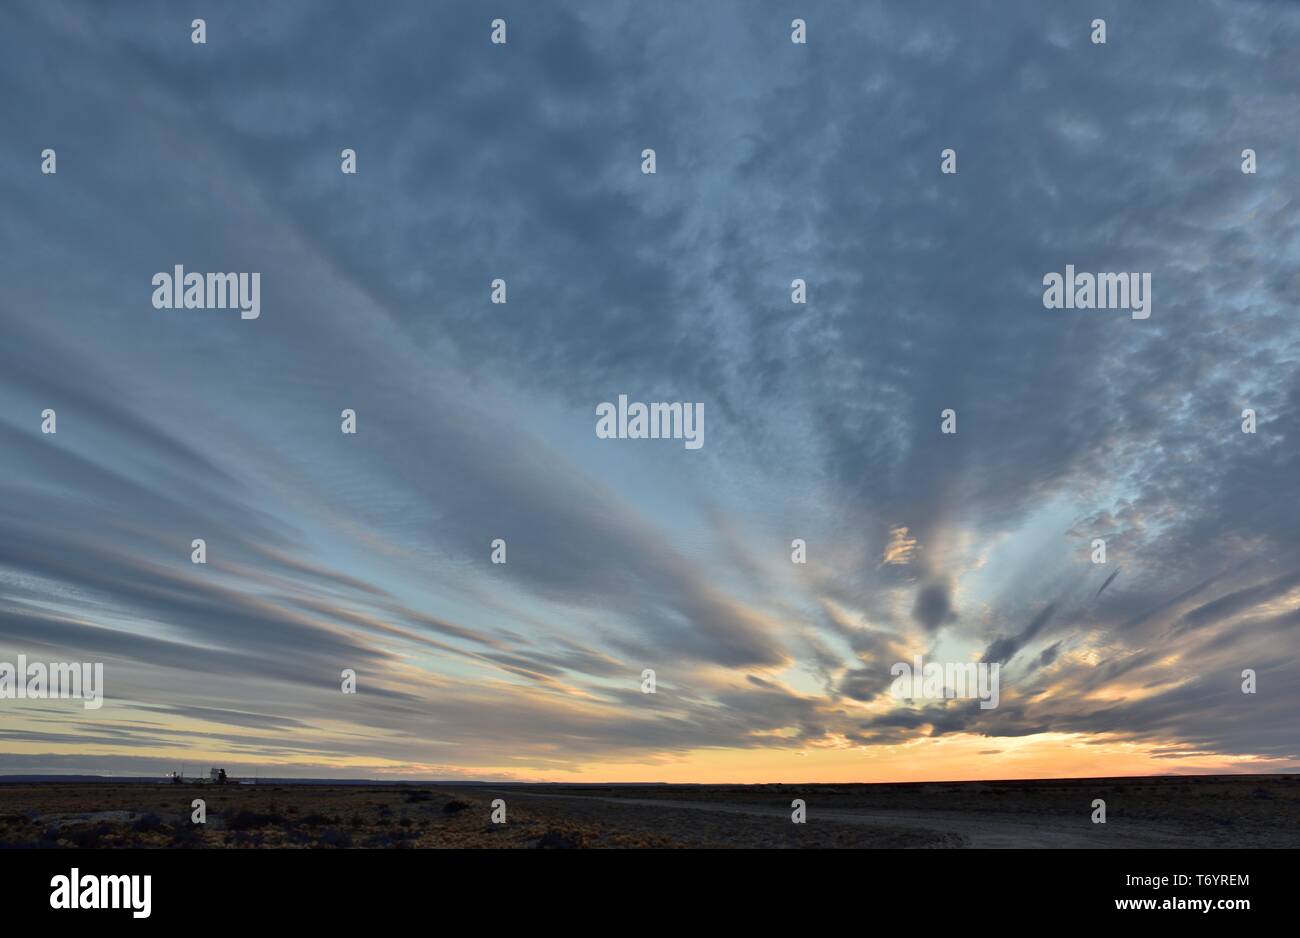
475, 422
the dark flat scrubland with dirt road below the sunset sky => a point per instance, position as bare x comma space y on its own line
1224, 811
